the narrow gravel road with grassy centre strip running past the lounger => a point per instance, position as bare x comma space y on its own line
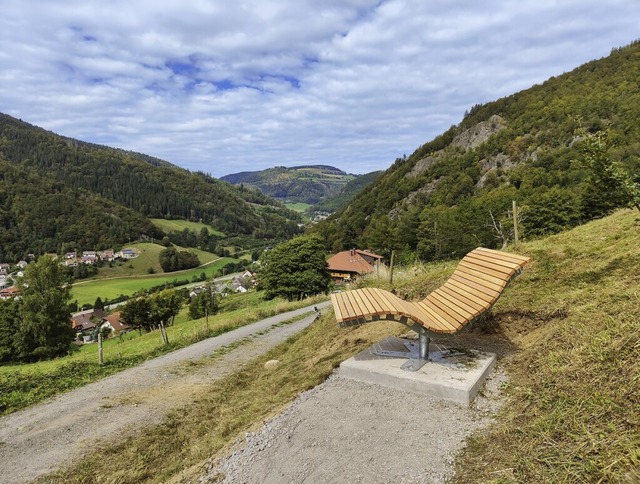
39, 439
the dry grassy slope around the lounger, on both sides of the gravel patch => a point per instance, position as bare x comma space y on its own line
569, 336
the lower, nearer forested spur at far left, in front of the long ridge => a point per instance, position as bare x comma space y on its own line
40, 215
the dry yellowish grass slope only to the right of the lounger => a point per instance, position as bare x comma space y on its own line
575, 383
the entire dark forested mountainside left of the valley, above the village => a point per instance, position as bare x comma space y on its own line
74, 181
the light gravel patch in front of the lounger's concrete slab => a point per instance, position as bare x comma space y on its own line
344, 431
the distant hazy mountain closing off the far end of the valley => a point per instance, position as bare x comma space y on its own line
307, 184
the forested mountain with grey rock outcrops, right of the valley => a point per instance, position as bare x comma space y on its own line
455, 192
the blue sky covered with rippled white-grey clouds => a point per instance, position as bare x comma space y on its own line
224, 86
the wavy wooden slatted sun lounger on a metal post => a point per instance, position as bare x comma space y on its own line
472, 289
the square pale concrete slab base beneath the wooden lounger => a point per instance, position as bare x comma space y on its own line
451, 374
